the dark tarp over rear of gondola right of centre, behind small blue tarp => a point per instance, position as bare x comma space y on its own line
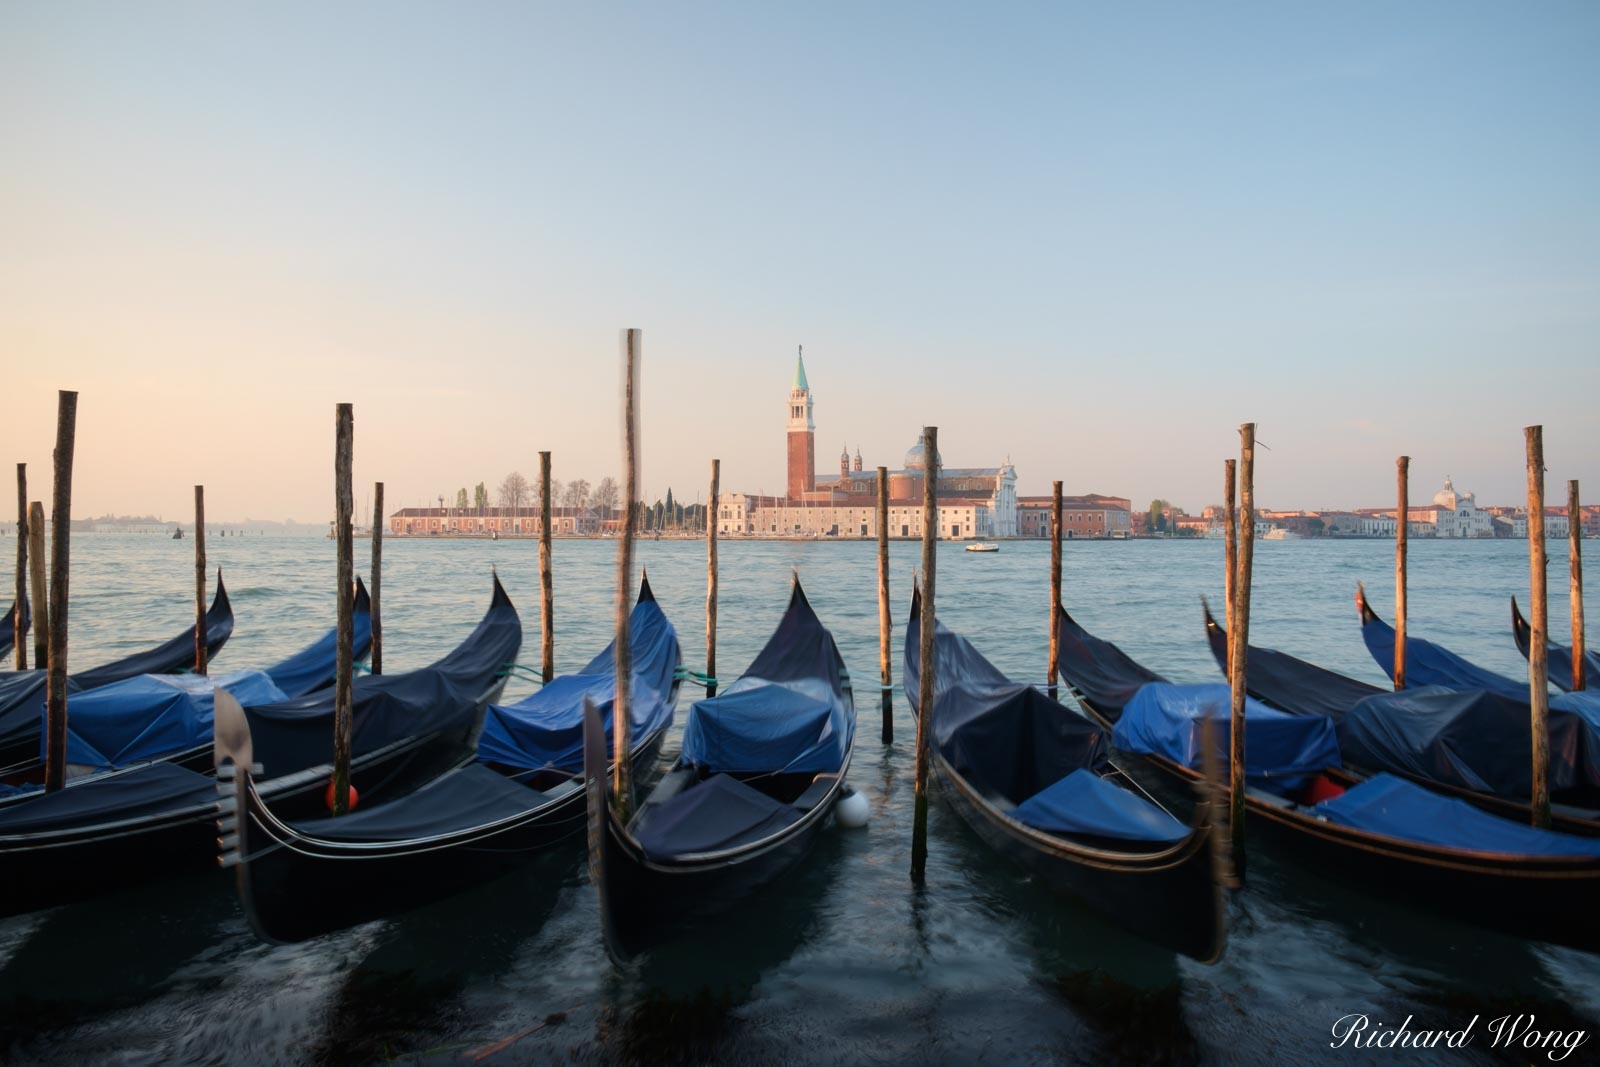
1006, 738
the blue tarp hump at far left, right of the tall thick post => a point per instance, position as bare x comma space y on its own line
153, 716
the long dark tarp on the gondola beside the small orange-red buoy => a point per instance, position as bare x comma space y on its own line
298, 735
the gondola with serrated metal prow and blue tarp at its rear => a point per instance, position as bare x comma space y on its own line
478, 821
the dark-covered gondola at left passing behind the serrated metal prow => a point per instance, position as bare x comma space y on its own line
156, 820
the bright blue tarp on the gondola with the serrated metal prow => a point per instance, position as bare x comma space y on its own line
548, 729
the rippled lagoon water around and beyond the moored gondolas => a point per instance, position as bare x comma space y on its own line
846, 962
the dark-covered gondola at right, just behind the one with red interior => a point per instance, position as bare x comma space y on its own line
1466, 743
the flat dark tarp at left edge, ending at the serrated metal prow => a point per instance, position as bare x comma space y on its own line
110, 799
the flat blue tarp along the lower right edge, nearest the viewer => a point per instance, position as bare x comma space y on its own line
1396, 809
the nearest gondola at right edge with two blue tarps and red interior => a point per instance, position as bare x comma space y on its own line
1383, 834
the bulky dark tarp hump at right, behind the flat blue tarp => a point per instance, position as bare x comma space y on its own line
1478, 741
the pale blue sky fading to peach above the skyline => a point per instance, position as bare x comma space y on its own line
1089, 238
